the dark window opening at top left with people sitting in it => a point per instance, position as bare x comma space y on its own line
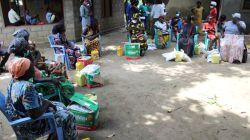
37, 9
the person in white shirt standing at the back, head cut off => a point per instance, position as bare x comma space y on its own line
158, 10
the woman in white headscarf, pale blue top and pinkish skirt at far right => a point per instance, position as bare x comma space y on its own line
232, 45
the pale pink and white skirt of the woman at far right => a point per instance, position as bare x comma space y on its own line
232, 47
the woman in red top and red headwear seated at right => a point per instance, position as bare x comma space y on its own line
210, 28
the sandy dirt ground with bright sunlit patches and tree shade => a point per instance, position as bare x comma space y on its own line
151, 99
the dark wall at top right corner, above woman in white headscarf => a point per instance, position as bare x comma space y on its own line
231, 6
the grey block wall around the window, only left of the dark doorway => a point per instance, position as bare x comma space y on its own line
39, 33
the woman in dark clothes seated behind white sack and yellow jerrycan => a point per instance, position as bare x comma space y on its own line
186, 41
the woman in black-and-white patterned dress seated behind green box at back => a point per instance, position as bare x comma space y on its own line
136, 30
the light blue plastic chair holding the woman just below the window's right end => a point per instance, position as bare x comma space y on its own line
59, 51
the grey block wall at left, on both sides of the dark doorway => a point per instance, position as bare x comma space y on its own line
39, 33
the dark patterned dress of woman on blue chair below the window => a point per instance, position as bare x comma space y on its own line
72, 51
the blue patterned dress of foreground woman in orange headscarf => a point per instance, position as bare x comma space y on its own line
21, 97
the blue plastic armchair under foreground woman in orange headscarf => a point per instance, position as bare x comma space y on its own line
48, 116
